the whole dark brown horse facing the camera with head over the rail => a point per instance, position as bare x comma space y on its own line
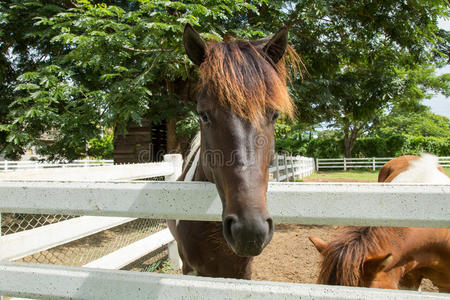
242, 90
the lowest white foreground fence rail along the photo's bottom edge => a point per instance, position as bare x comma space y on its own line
45, 281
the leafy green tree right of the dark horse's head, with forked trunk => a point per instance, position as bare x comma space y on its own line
361, 56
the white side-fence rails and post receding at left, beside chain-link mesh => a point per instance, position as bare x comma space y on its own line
21, 244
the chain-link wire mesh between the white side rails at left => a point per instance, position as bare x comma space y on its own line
91, 247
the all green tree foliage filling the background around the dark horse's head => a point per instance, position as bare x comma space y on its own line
73, 67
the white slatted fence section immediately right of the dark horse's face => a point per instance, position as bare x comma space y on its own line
290, 168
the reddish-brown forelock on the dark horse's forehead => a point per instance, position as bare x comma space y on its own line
243, 78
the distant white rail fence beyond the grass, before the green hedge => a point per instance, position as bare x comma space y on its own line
368, 163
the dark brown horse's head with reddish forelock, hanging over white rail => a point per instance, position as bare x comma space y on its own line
242, 90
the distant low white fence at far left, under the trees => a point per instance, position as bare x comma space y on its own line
9, 165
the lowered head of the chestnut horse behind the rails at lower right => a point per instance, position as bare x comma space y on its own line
358, 258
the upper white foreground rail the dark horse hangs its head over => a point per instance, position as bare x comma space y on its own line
421, 205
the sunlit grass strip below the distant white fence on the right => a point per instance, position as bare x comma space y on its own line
355, 174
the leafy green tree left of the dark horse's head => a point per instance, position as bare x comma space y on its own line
109, 64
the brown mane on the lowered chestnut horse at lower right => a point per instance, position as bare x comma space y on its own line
343, 259
